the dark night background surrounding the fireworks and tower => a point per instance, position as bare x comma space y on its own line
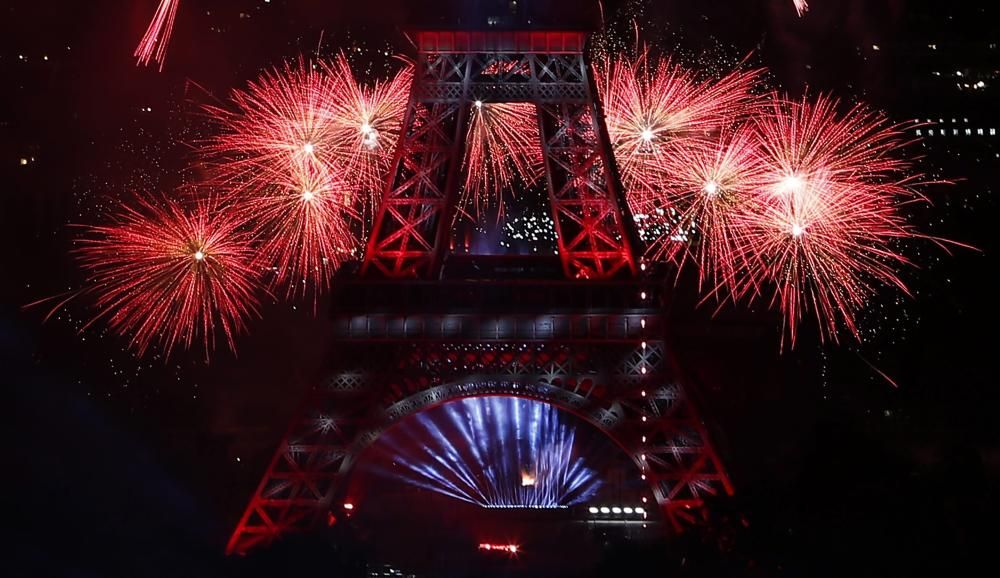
126, 466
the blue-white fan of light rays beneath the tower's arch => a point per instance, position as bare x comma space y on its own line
496, 452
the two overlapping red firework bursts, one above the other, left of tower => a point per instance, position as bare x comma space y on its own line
279, 156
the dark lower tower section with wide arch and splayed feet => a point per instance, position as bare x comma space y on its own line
602, 357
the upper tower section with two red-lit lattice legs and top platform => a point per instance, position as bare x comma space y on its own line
547, 69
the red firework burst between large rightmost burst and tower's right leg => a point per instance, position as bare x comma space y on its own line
710, 187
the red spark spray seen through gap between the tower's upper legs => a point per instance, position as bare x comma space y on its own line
503, 144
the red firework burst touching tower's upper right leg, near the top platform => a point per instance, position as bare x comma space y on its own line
655, 108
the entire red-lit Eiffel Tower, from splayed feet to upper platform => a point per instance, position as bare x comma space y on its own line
593, 343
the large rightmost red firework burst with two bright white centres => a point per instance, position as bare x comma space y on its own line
824, 226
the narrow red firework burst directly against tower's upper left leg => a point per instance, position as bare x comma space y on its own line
367, 122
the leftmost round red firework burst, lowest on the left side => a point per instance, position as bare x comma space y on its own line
166, 275
